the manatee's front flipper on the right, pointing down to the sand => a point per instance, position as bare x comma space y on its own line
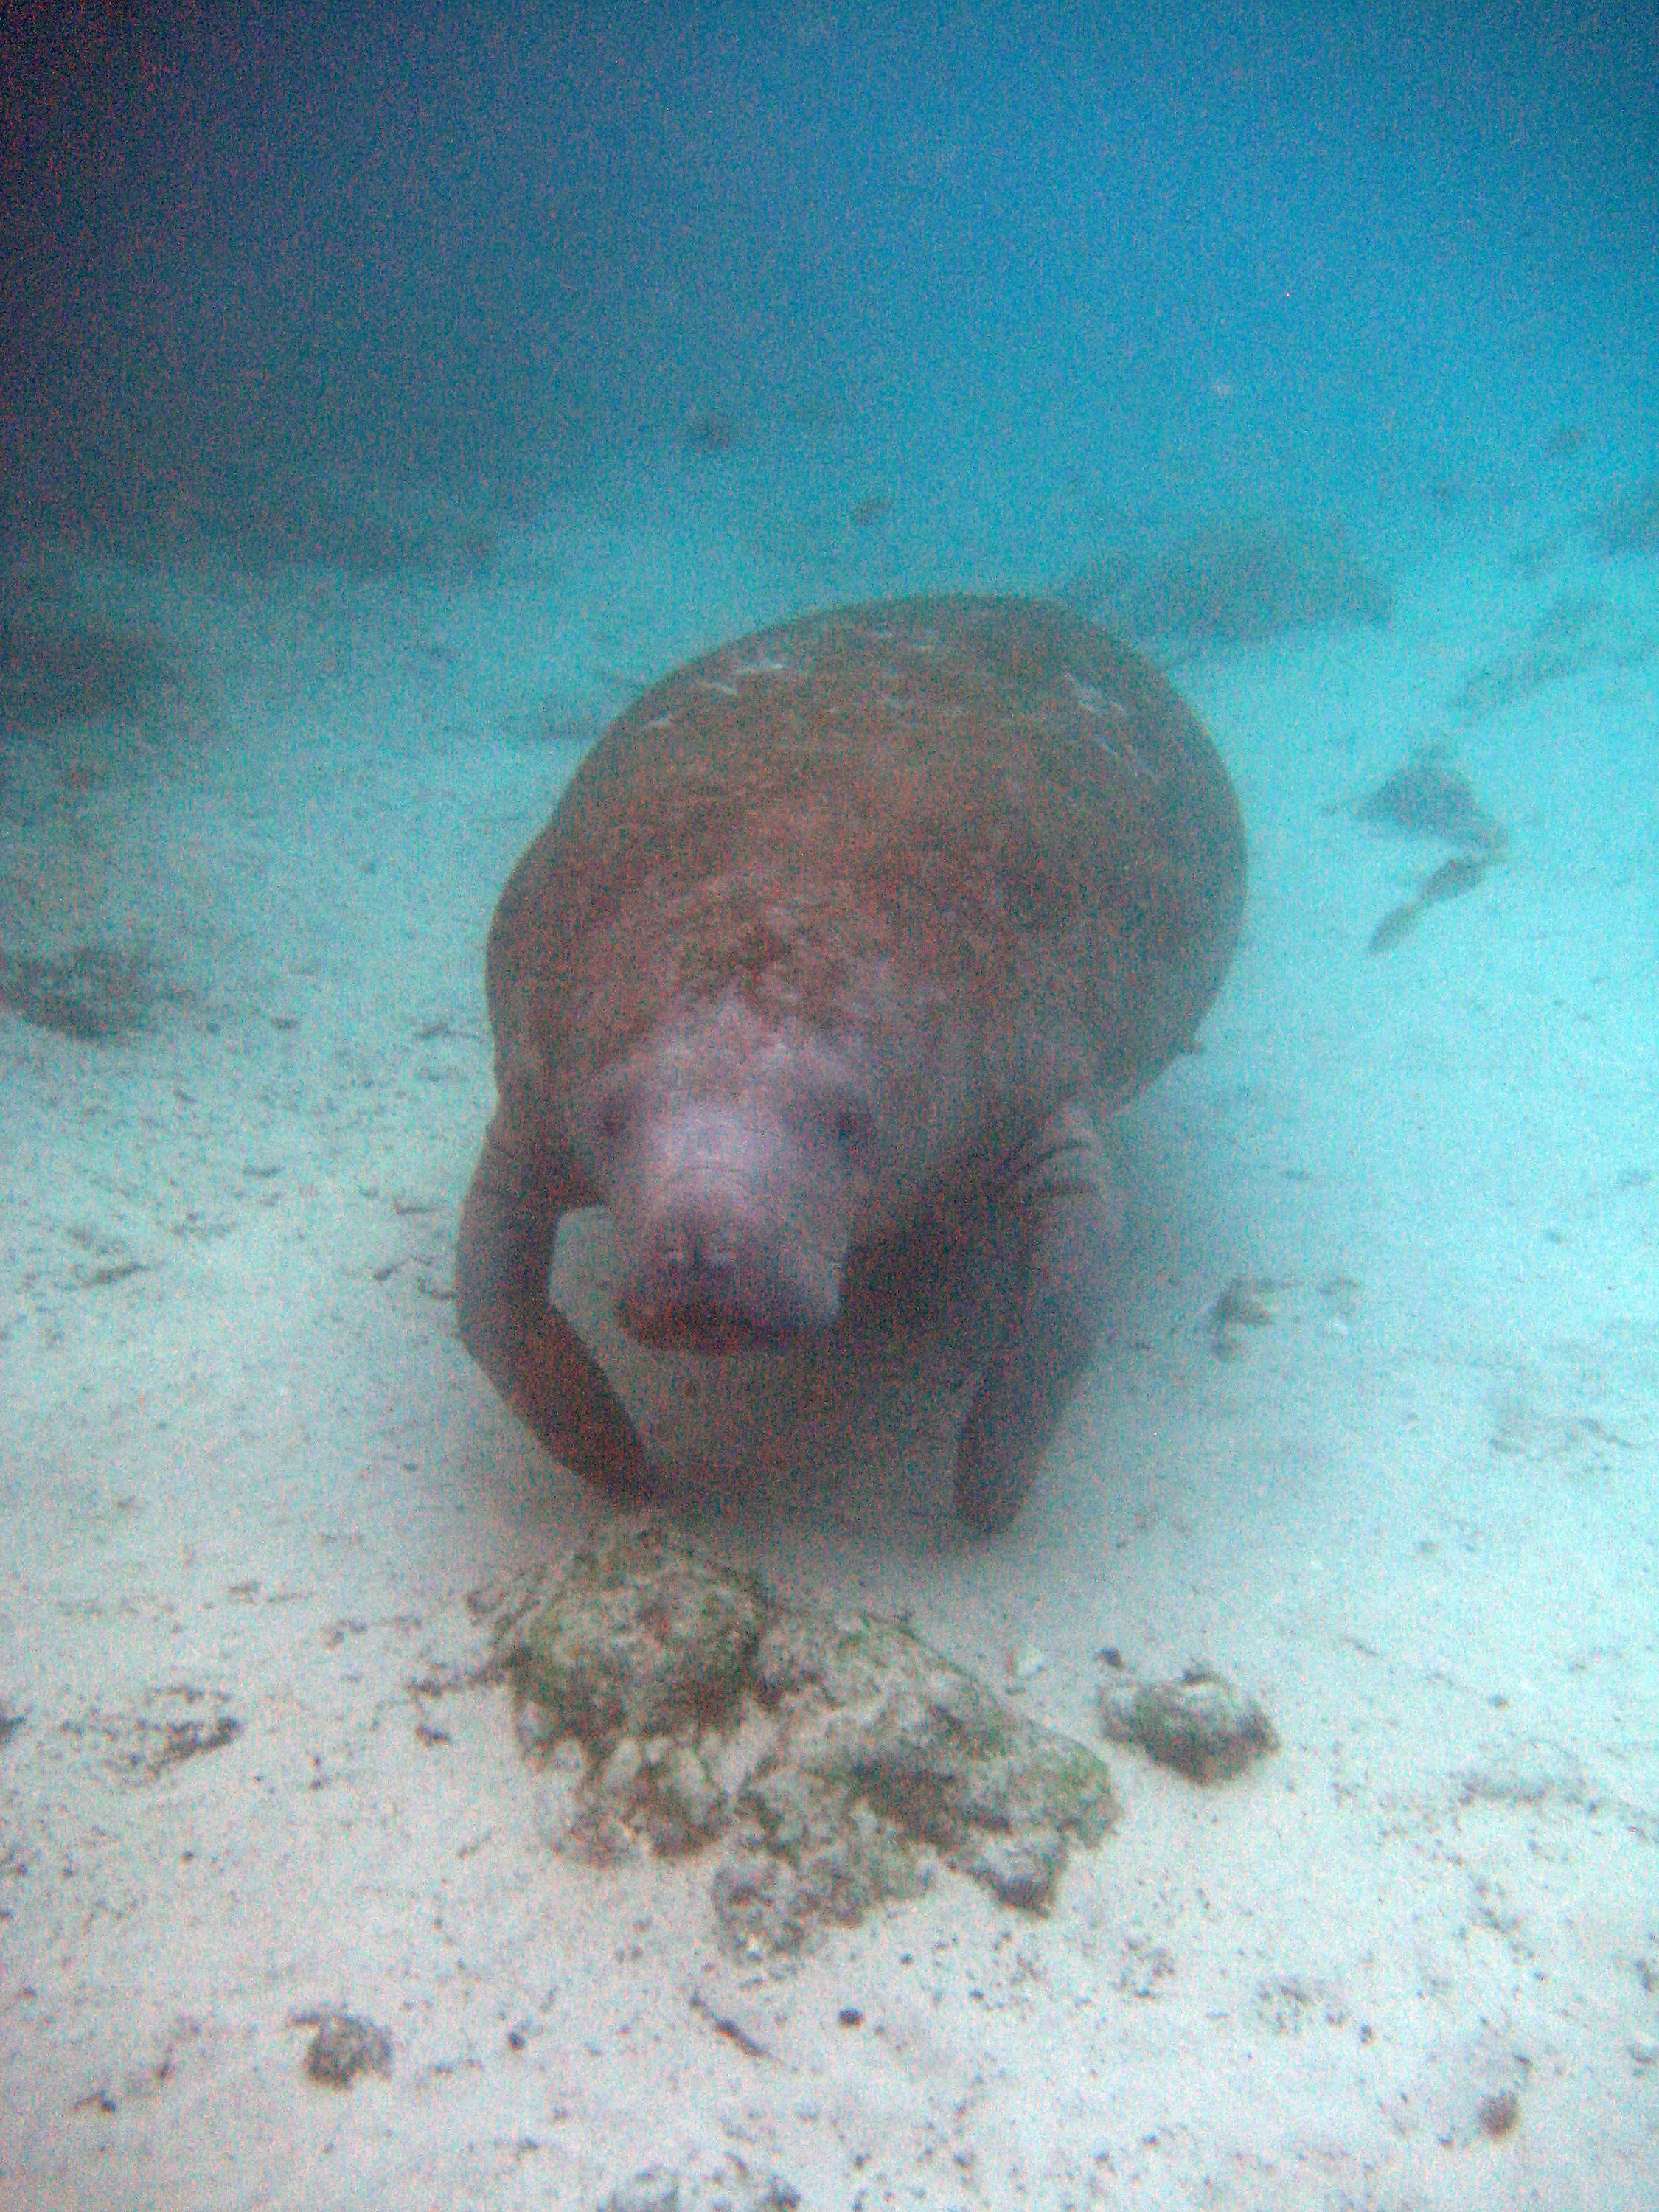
1054, 1198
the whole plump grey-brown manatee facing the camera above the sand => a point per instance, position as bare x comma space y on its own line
837, 946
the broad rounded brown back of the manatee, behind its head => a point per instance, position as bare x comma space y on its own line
983, 795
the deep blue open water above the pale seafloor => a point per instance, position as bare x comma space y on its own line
1229, 251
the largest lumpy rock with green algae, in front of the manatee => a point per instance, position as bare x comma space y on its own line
839, 1757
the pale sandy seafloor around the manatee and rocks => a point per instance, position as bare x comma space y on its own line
1419, 1514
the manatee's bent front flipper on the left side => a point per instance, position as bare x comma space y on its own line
517, 1335
